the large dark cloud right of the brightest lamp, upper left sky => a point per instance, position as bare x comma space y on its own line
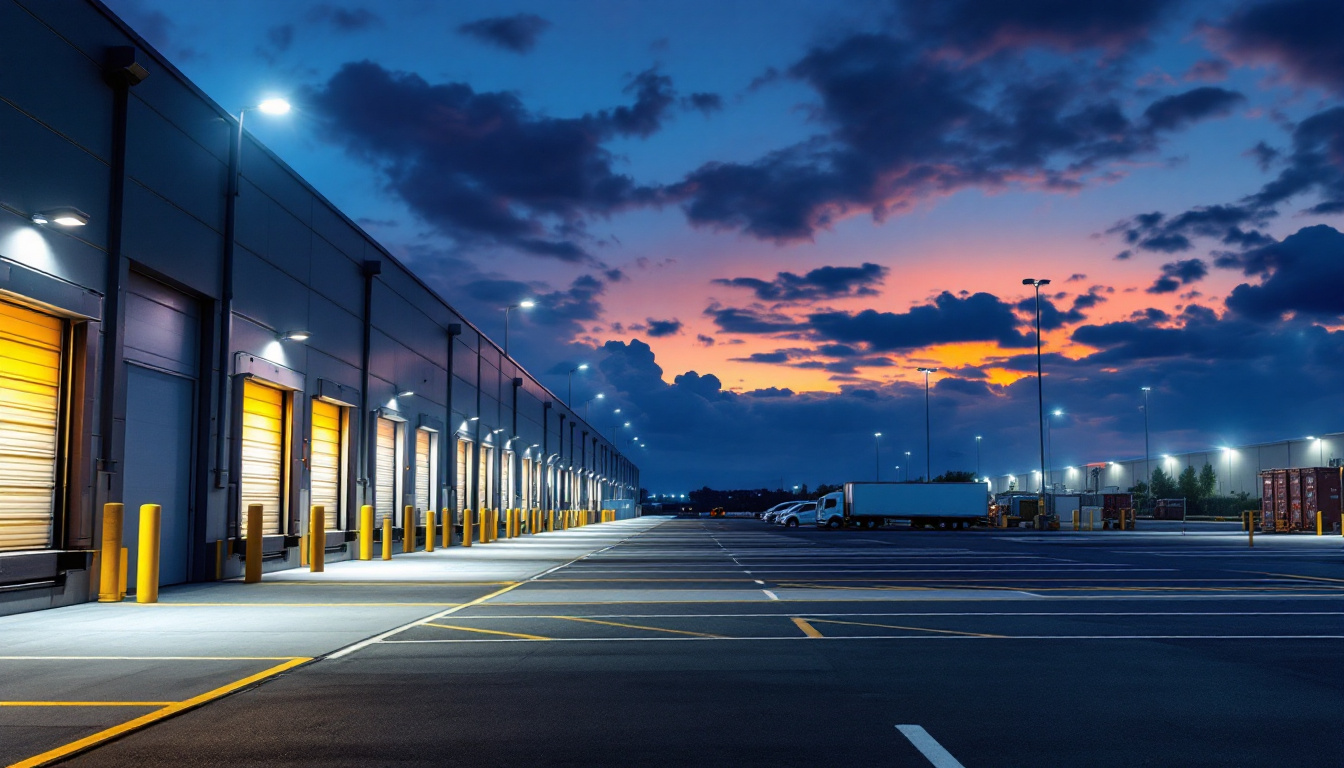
480, 166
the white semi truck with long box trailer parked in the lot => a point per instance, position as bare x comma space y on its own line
943, 506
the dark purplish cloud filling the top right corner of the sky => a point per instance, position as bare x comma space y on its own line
1303, 37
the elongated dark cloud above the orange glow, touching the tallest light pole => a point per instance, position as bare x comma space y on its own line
978, 318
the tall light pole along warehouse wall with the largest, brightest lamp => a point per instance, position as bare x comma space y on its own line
226, 299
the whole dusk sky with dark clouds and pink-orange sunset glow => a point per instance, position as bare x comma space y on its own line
756, 220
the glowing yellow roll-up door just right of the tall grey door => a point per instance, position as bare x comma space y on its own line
263, 478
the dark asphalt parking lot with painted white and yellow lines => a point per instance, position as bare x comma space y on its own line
734, 642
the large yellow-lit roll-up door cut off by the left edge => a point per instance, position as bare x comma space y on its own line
30, 412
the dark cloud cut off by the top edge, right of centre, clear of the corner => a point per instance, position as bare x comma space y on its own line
984, 28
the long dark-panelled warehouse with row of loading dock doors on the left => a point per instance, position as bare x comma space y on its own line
186, 322
